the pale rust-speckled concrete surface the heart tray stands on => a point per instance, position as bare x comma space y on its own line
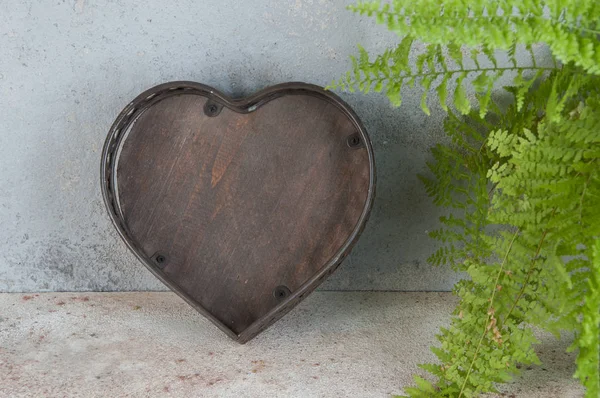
334, 344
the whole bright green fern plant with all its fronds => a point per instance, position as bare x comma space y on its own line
521, 184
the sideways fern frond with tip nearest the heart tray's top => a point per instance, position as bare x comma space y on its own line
392, 70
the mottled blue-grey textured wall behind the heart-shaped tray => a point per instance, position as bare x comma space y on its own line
68, 67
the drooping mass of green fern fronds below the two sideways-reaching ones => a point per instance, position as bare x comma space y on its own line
547, 183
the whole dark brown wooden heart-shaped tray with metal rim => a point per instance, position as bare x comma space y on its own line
159, 188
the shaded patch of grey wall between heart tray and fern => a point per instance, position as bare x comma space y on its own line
393, 250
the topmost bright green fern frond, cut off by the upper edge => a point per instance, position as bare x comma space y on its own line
571, 32
